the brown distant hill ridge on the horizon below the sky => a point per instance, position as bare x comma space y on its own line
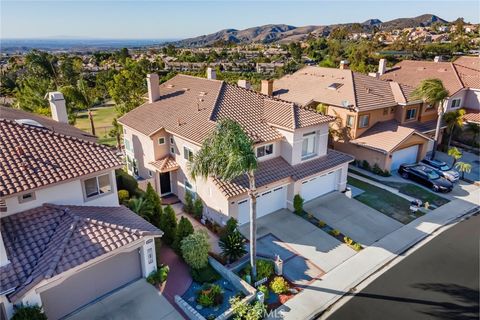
283, 33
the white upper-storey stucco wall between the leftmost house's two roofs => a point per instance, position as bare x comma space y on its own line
64, 193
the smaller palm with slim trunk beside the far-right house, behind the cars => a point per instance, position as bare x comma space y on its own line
433, 92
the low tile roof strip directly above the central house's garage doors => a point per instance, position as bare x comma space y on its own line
277, 169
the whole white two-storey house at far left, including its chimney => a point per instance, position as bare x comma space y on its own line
64, 239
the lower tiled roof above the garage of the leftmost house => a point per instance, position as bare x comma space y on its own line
46, 241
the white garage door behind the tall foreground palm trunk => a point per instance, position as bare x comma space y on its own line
267, 202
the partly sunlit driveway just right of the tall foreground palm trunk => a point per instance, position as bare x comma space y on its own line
287, 234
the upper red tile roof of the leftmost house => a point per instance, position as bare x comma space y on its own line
32, 157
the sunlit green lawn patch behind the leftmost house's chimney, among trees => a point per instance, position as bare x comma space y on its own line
102, 119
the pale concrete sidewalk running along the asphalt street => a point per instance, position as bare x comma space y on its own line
322, 293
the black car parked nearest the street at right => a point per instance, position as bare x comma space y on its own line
425, 175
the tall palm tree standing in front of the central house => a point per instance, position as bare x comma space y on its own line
228, 153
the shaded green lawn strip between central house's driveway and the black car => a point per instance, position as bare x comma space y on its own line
384, 201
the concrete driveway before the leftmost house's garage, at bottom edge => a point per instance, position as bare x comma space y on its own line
139, 300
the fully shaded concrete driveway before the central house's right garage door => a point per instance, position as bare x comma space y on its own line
354, 219
